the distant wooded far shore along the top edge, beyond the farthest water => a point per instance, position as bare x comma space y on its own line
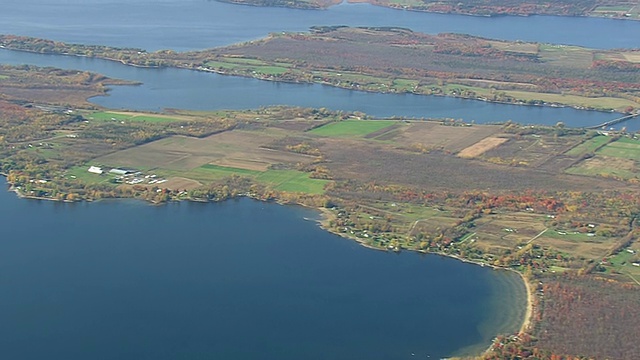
621, 9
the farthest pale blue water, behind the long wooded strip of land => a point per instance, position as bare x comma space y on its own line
197, 24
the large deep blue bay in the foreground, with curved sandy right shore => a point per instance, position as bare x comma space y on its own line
234, 280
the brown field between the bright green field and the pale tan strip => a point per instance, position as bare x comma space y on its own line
451, 138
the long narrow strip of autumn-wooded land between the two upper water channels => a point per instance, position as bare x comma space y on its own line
394, 60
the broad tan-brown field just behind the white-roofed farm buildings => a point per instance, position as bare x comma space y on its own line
232, 148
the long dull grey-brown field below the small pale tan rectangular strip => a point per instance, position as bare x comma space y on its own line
367, 161
